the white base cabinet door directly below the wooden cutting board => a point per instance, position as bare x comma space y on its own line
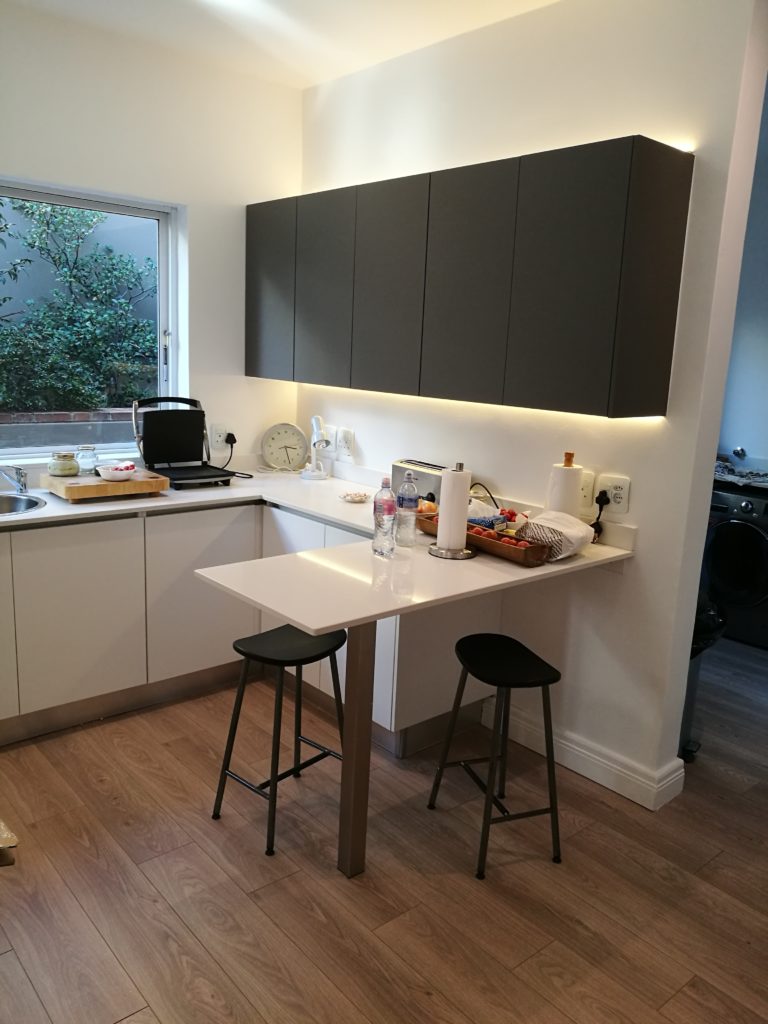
80, 612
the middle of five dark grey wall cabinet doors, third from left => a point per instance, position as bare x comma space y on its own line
390, 251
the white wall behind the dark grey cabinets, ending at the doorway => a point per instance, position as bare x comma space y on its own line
577, 72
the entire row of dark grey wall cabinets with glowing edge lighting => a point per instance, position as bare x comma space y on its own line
548, 281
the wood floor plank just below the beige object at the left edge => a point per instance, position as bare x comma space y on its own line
74, 972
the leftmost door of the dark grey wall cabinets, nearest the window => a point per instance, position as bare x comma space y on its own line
271, 273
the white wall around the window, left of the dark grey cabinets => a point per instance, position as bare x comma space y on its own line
92, 111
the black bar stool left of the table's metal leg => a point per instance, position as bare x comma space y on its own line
285, 648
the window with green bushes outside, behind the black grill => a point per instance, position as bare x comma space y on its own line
84, 306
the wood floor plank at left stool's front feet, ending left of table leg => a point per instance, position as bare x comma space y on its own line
235, 844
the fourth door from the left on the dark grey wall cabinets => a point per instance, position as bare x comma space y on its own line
470, 268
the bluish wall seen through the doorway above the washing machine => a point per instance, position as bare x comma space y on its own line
745, 423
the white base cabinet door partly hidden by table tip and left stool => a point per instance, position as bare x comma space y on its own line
191, 625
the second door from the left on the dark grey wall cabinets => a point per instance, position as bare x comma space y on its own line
325, 253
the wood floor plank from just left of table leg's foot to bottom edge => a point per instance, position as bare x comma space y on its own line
385, 989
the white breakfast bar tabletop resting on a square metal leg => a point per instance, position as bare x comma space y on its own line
333, 588
